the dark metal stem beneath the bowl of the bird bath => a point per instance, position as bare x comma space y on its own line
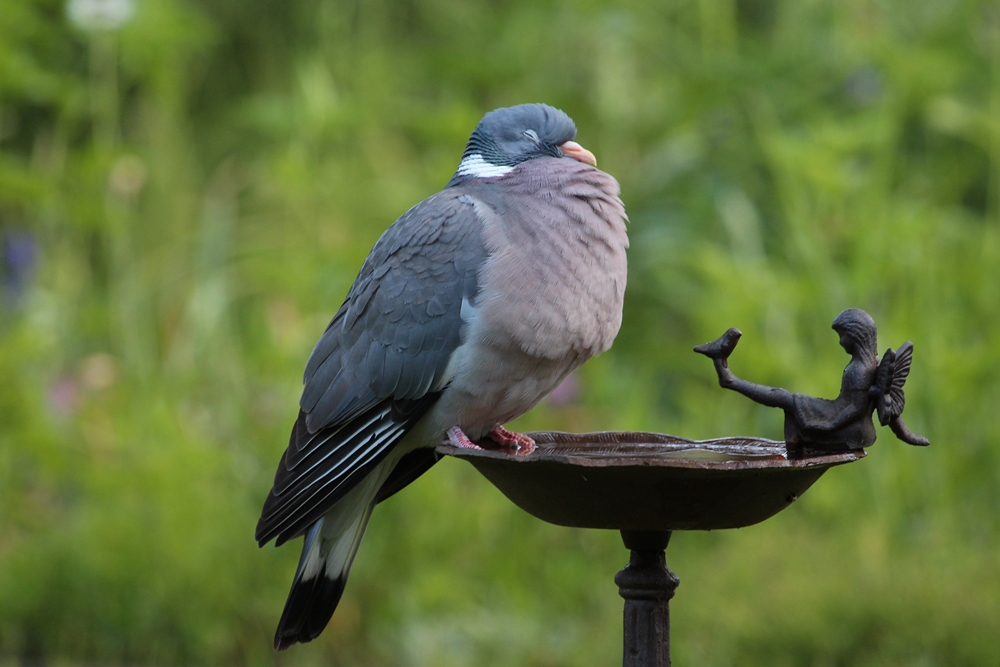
647, 586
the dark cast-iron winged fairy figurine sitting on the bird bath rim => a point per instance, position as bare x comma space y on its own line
818, 424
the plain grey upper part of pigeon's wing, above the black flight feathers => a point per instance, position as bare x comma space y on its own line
402, 318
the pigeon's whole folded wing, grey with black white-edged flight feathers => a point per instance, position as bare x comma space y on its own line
380, 364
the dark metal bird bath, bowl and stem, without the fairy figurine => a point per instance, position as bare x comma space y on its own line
648, 485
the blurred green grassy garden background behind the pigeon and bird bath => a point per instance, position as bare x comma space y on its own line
187, 191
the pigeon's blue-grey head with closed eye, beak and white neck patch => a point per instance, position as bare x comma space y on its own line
509, 136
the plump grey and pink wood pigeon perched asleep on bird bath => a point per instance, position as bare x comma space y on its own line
471, 307
